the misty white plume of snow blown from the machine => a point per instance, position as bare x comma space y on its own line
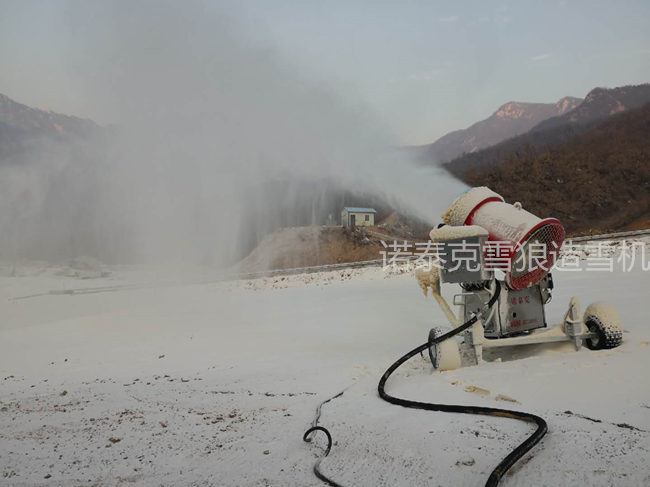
205, 120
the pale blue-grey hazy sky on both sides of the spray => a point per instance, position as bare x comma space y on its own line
423, 67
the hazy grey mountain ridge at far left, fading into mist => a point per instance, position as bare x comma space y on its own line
22, 127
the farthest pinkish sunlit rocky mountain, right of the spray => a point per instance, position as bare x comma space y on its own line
511, 119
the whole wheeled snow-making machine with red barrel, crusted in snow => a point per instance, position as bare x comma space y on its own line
485, 244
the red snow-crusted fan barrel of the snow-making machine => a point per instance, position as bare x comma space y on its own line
527, 245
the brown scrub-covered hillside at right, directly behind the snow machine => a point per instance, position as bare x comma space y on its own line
598, 181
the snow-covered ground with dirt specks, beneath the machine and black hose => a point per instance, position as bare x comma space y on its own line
214, 384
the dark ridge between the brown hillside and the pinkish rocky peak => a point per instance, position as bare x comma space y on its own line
598, 105
